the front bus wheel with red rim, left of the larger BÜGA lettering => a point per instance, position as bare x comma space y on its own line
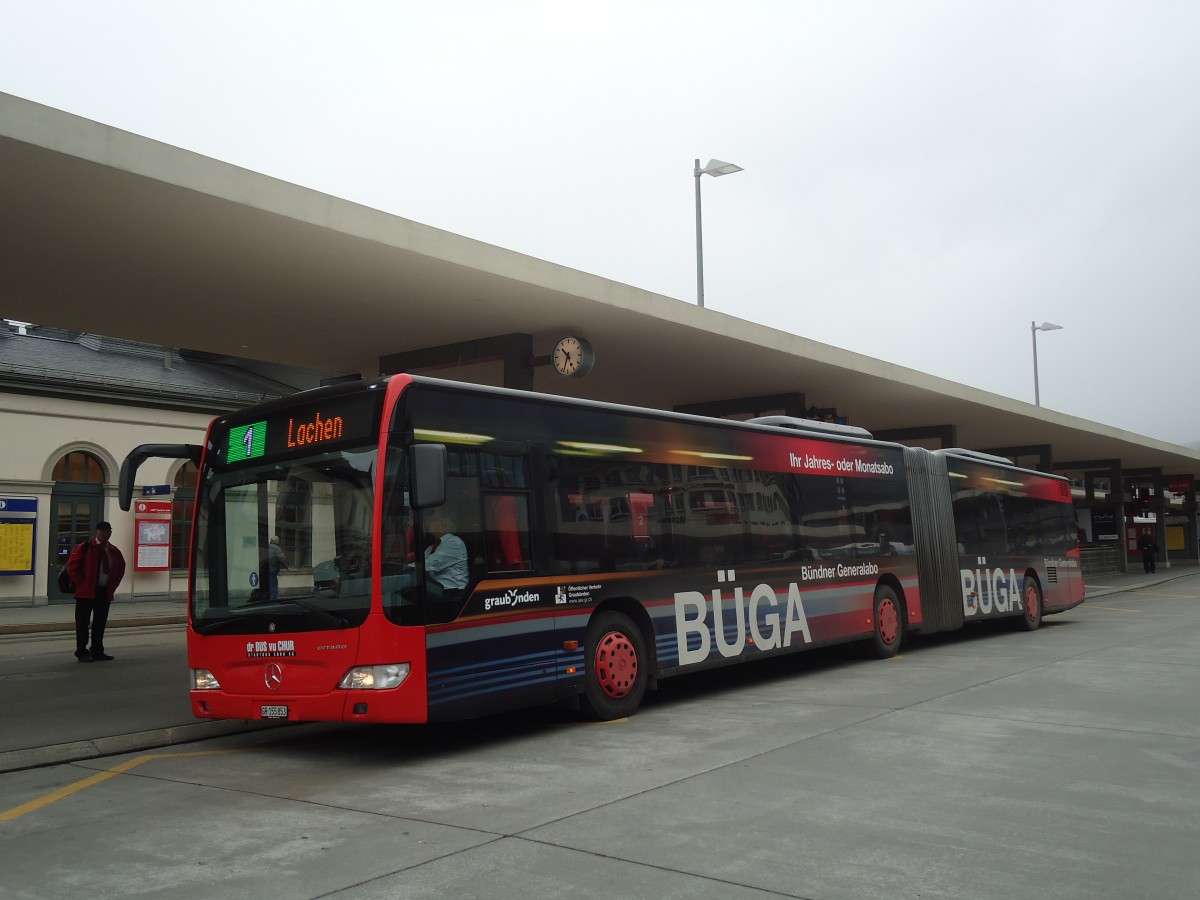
616, 674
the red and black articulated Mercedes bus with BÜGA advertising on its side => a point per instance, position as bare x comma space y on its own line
599, 550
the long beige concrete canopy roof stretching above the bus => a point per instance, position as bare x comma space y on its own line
113, 233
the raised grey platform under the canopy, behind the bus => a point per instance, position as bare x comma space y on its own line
57, 711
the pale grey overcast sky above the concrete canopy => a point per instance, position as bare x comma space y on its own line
923, 181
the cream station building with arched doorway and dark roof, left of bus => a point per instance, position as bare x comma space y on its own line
71, 407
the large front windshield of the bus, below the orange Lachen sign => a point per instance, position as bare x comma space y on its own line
285, 545
